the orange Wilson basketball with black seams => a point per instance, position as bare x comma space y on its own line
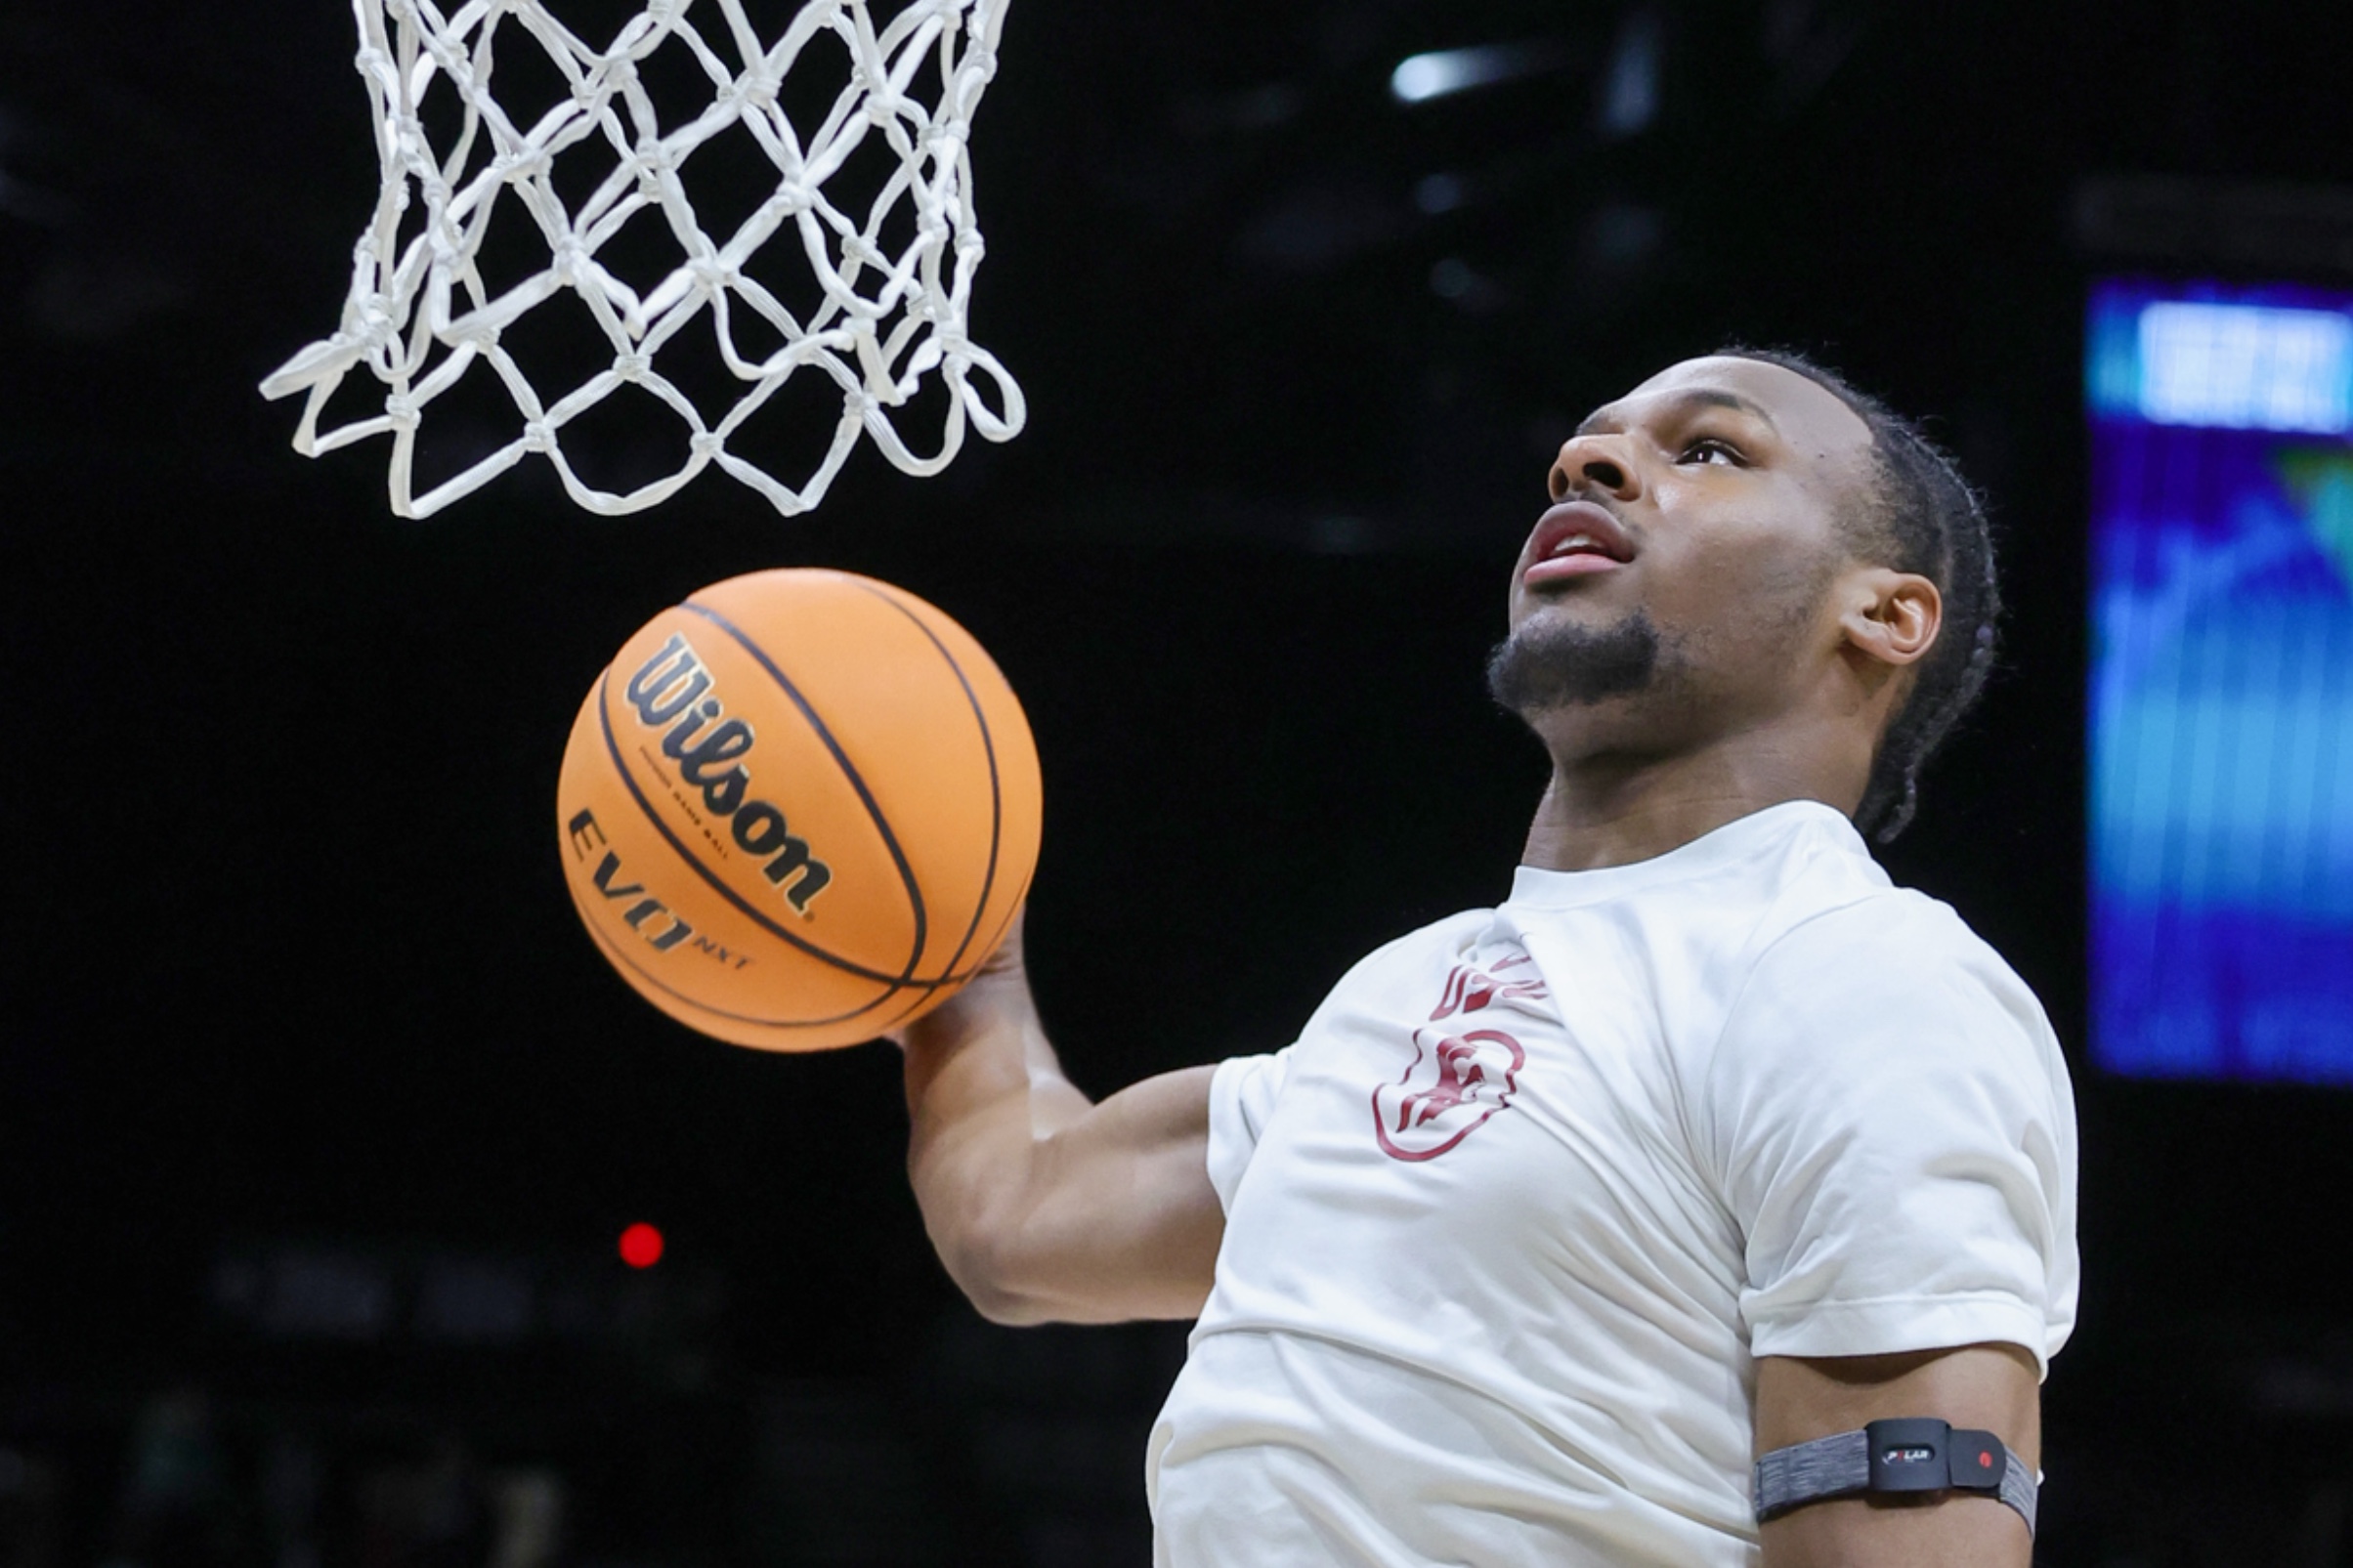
799, 810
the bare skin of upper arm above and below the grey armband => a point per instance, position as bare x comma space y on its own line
1989, 1388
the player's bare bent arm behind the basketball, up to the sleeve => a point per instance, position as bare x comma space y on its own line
1044, 1205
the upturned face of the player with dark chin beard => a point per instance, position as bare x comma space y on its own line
1698, 516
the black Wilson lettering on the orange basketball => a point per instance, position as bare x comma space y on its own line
672, 692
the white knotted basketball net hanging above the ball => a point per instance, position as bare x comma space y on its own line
891, 295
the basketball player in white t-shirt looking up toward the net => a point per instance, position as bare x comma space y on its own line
1707, 1144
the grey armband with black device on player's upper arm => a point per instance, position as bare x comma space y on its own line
1893, 1456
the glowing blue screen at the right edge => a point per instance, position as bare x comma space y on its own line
2222, 683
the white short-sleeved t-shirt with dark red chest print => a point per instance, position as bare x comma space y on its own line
1512, 1221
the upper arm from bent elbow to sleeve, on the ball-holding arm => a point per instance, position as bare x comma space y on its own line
1121, 1219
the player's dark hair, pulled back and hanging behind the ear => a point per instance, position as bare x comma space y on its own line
1924, 518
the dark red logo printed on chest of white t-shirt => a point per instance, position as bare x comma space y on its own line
1458, 1083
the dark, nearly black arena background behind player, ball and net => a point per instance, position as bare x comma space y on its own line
293, 991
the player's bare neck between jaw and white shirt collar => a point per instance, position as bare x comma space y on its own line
1615, 808
